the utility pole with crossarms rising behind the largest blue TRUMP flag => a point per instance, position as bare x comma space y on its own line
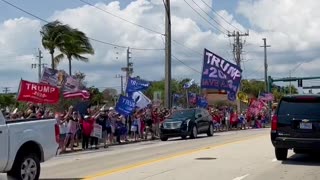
237, 50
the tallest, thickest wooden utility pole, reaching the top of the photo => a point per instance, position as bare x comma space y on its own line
167, 87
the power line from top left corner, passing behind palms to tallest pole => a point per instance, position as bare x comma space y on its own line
93, 39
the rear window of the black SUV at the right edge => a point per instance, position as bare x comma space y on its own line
299, 107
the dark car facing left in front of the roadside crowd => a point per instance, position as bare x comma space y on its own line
187, 122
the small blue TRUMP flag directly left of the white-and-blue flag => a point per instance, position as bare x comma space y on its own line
125, 105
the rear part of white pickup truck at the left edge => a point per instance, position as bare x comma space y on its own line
24, 144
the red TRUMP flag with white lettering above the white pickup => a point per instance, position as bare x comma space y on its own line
38, 93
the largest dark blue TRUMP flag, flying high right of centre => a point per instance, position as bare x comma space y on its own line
218, 73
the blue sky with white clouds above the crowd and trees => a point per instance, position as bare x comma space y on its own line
290, 26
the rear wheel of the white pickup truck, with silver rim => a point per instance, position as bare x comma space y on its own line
26, 168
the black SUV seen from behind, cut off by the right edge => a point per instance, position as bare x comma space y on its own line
296, 125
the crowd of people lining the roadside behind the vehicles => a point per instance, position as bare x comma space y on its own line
142, 124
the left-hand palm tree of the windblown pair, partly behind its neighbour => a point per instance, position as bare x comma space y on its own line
53, 34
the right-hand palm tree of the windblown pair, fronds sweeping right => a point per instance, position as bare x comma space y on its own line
75, 44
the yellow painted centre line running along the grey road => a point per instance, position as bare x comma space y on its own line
180, 154
